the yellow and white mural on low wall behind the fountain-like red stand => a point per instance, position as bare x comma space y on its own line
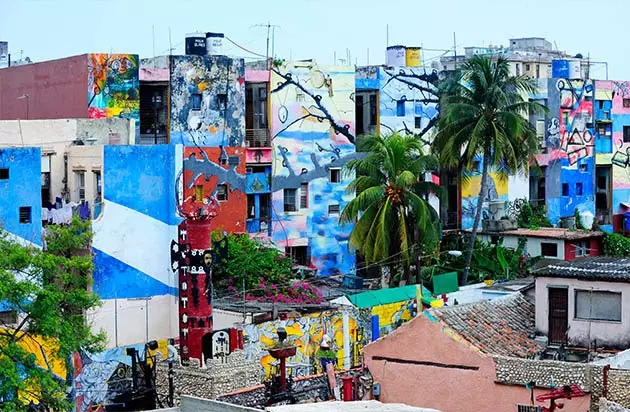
306, 333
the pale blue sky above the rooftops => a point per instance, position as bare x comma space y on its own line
321, 29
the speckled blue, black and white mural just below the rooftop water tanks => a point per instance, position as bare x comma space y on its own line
207, 99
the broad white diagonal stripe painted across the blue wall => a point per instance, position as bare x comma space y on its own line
136, 239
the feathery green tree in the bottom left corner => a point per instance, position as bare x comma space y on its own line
48, 290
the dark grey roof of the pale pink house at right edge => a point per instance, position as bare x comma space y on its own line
603, 268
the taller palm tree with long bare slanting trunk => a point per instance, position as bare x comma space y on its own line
484, 114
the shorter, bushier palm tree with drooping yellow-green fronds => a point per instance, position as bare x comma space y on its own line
394, 219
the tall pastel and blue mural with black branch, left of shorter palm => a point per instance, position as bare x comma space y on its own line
312, 125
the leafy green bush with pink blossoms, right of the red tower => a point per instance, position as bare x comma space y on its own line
267, 273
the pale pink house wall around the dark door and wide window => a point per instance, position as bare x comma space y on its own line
581, 332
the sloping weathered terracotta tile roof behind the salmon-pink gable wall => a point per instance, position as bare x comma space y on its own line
501, 326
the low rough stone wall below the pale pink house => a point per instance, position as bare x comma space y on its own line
513, 371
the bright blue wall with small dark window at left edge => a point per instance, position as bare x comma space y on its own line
21, 189
